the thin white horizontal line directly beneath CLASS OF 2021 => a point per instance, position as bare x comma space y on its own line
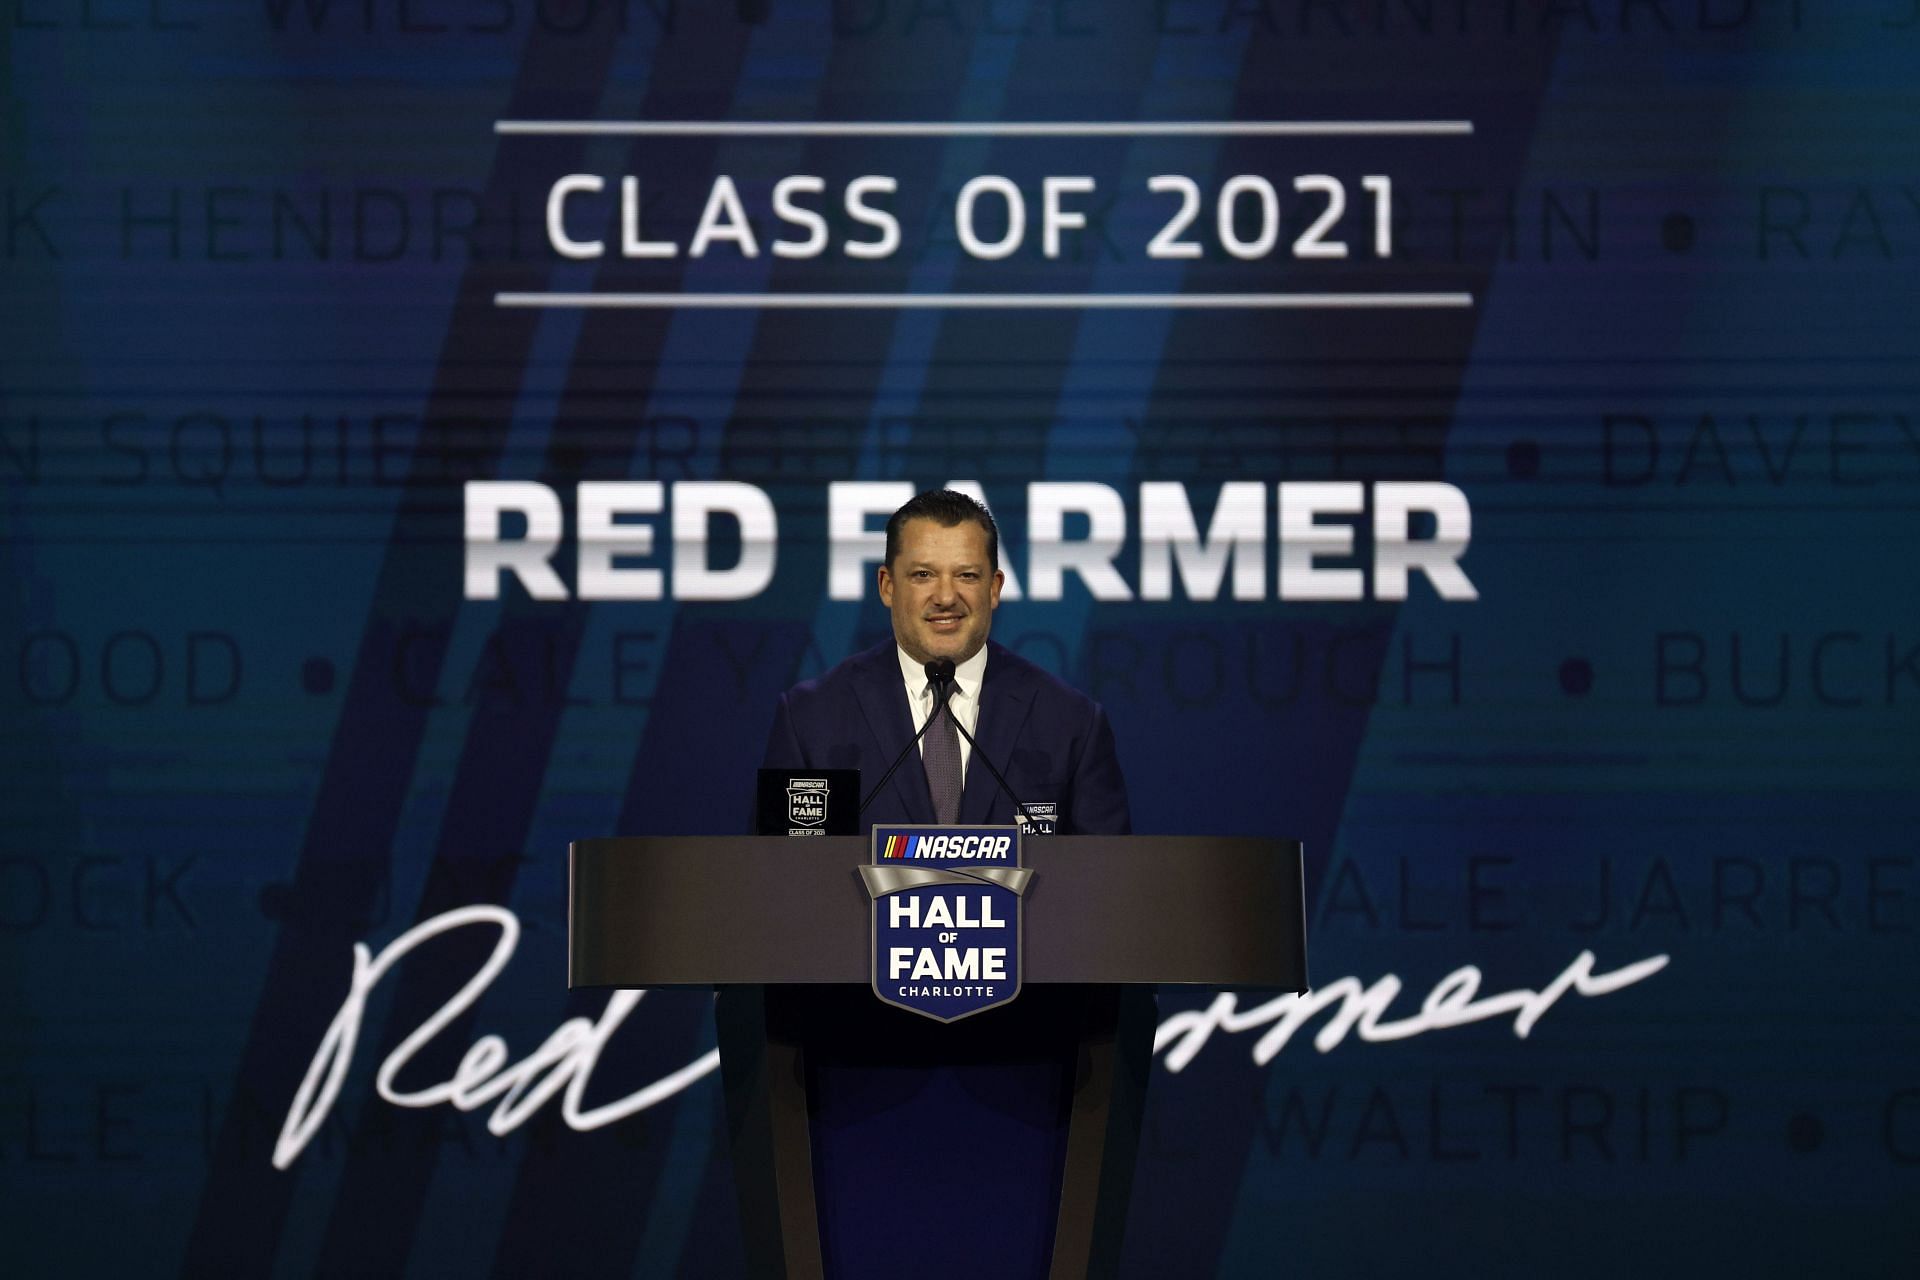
982, 302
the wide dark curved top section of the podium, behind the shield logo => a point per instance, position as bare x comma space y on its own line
719, 911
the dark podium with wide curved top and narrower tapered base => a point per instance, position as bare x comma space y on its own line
873, 1141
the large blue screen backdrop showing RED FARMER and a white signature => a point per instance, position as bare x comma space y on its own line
398, 486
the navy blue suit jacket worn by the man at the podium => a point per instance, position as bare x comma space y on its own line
1049, 740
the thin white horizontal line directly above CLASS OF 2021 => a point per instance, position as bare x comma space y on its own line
999, 130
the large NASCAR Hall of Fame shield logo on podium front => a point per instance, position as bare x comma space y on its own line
948, 918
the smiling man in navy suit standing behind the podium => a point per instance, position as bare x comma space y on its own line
942, 579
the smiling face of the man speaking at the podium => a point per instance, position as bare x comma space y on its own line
942, 590
